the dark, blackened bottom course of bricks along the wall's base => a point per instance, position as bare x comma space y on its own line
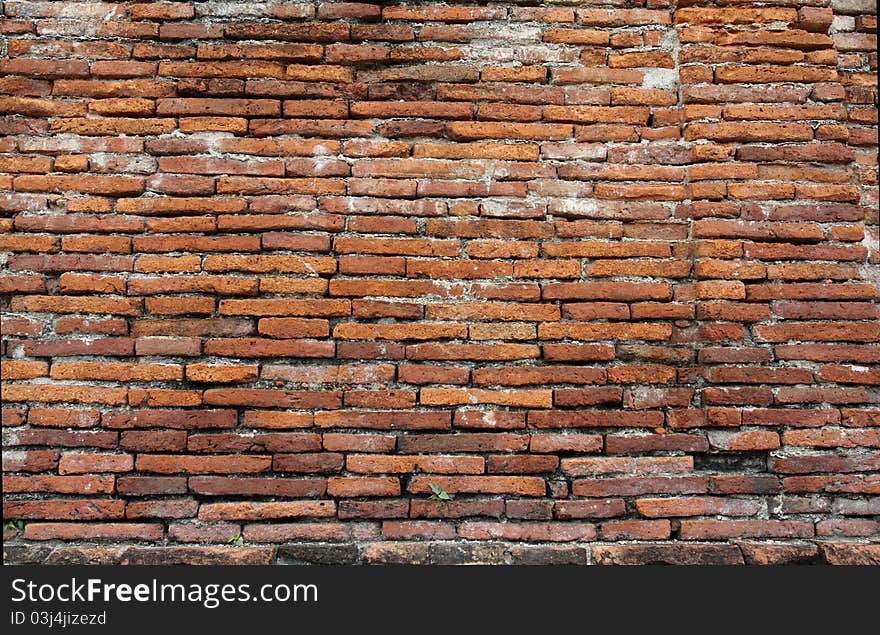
484, 553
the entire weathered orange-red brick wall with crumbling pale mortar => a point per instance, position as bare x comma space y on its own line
603, 271
